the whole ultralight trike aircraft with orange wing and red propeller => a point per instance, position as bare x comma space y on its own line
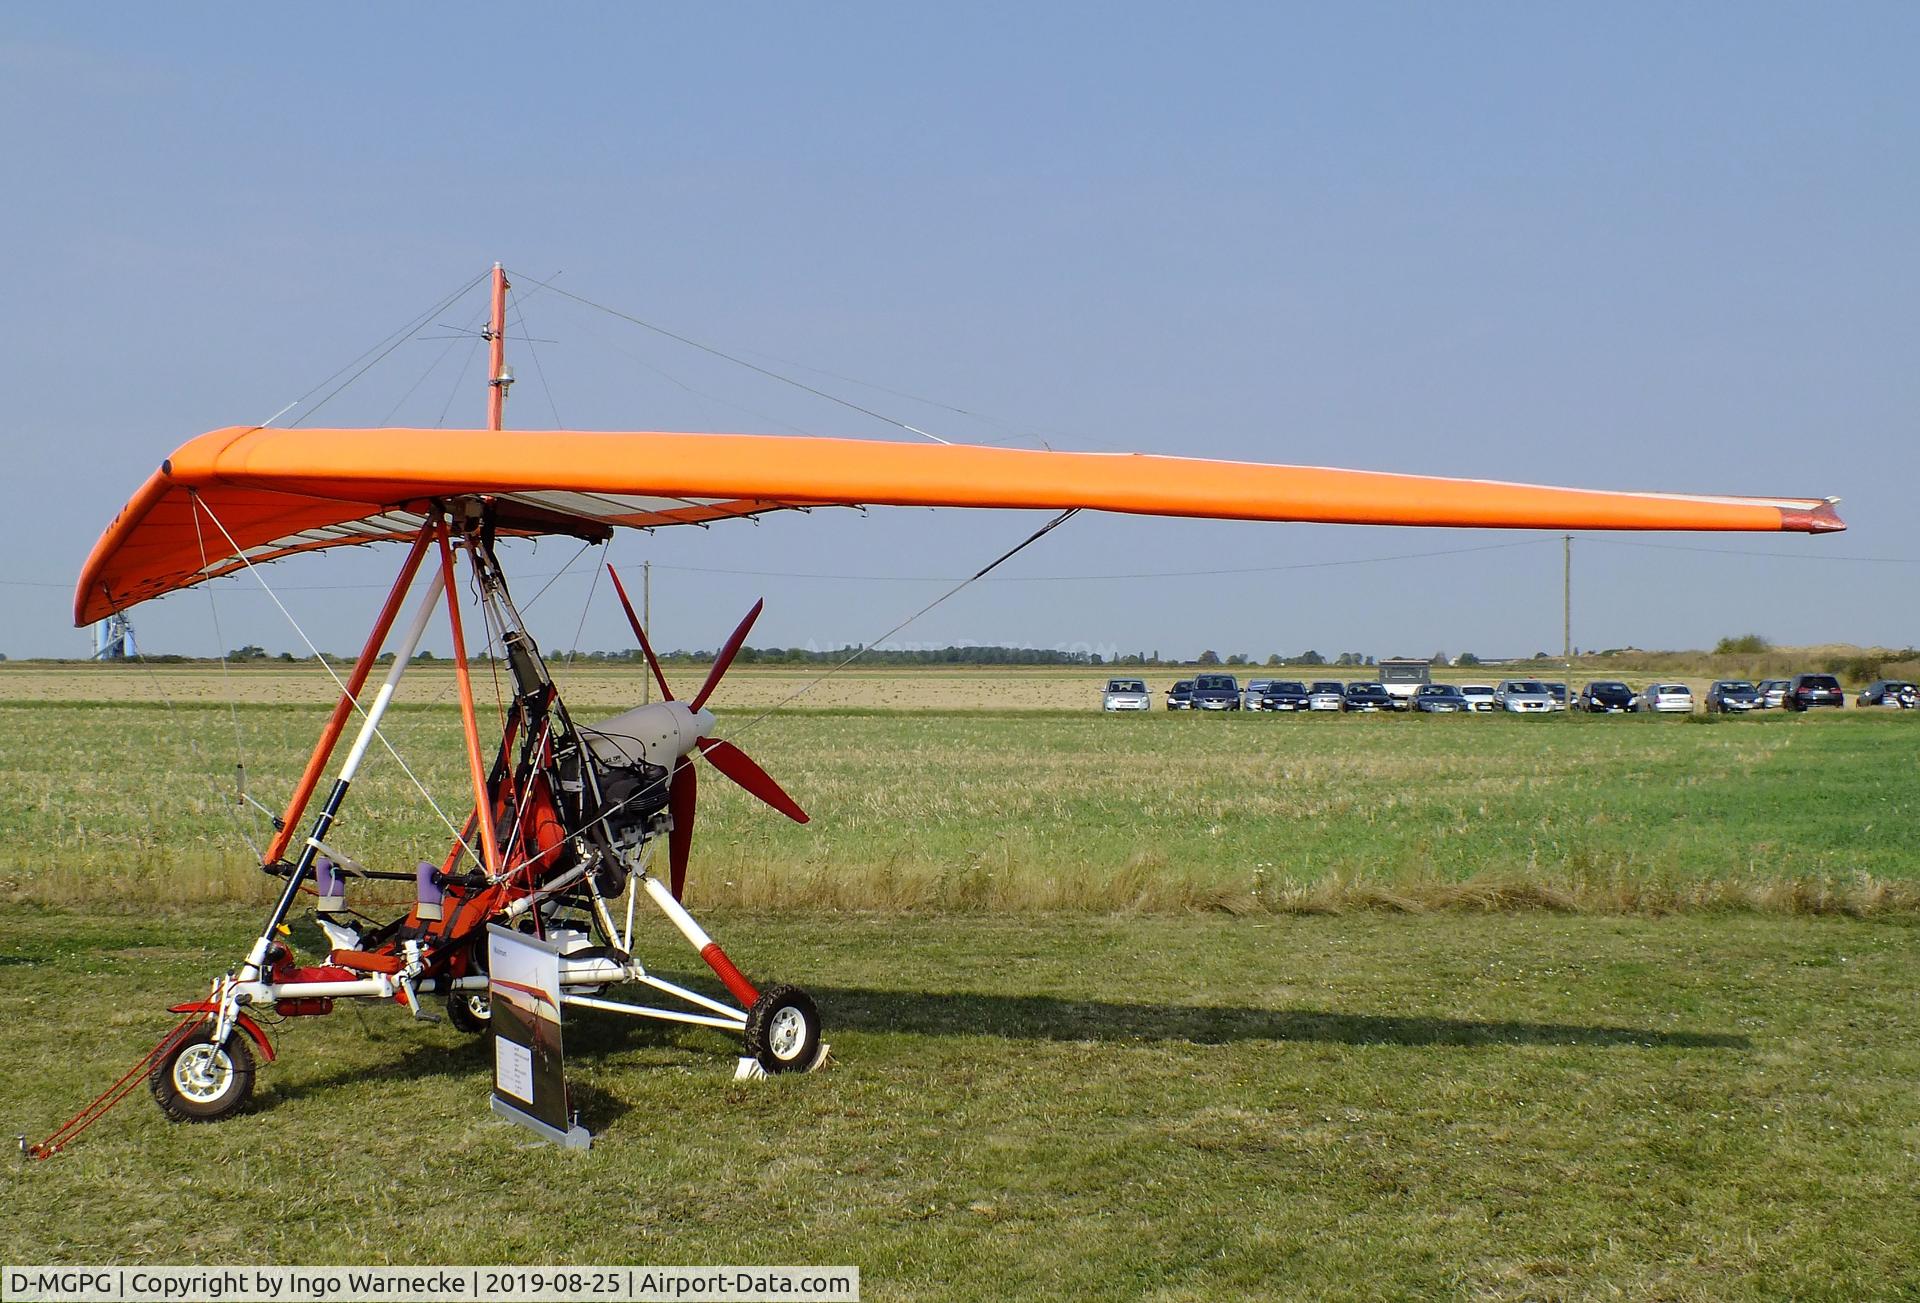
567, 815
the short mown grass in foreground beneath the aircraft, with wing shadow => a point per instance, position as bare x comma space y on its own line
1520, 1106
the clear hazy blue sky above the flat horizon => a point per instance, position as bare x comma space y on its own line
1627, 247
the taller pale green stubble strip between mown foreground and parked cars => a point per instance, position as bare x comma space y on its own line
1057, 811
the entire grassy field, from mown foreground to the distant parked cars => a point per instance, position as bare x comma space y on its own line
1161, 1007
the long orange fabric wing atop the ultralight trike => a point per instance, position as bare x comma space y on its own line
268, 494
